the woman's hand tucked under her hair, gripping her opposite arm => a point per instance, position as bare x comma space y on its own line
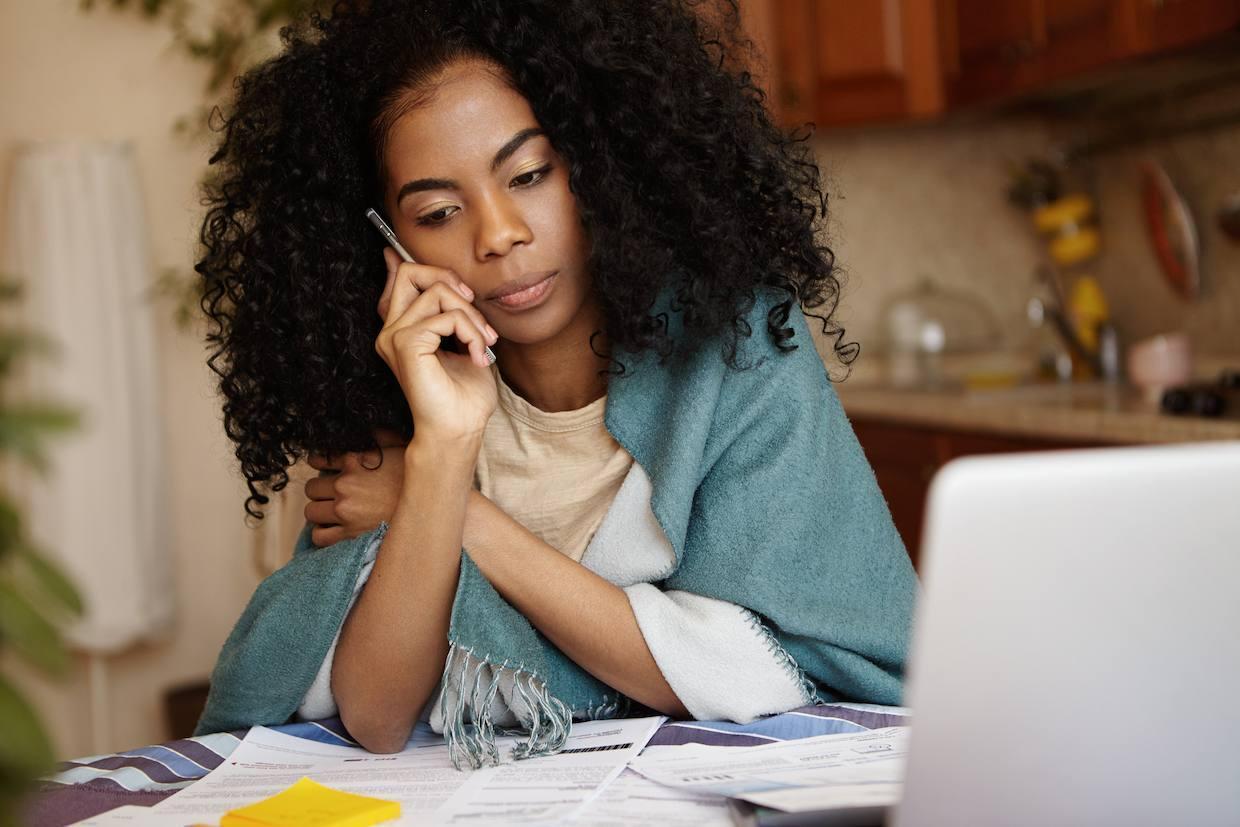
356, 492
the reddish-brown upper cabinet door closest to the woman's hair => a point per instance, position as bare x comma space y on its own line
846, 63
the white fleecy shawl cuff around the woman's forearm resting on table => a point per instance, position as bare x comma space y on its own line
717, 657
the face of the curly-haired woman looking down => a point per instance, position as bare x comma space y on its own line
473, 187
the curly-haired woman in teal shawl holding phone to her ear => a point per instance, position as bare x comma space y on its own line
547, 539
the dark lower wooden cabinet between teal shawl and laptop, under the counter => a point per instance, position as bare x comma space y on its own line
906, 458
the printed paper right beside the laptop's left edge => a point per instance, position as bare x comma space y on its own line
850, 771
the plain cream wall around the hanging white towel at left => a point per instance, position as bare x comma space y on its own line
66, 74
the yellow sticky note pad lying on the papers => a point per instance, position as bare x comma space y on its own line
308, 804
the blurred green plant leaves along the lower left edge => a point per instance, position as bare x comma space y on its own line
35, 596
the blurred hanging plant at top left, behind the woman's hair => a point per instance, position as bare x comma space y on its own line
230, 37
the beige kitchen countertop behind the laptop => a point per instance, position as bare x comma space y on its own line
1084, 412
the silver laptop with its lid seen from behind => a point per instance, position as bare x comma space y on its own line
1077, 648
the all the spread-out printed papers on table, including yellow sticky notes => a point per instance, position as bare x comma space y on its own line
273, 779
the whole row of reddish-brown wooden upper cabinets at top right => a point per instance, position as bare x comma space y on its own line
839, 63
